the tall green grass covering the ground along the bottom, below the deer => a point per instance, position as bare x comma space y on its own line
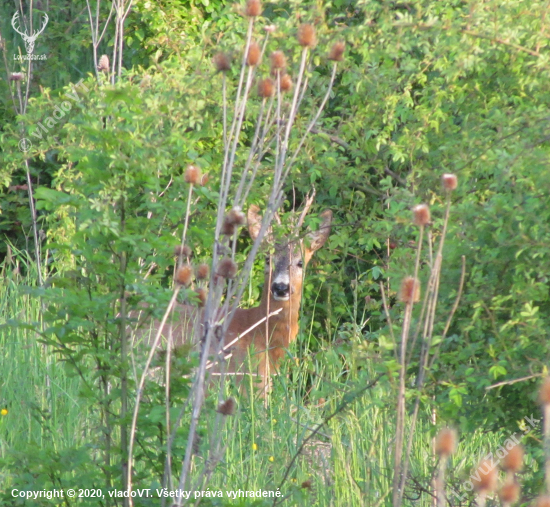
48, 437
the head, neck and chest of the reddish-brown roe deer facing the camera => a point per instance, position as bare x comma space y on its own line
282, 293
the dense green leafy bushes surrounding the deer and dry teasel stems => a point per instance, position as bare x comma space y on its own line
425, 88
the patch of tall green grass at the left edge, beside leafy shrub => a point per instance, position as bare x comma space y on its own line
42, 402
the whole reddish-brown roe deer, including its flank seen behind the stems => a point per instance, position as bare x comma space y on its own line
274, 321
